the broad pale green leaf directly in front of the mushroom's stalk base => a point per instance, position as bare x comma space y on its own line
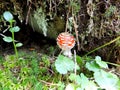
64, 64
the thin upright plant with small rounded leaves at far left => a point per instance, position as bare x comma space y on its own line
9, 17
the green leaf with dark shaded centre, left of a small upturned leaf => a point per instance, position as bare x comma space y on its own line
92, 66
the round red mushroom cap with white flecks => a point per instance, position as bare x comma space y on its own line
65, 41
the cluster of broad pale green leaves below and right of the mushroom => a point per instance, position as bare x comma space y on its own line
101, 79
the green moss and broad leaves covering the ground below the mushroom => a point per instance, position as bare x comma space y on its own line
39, 72
